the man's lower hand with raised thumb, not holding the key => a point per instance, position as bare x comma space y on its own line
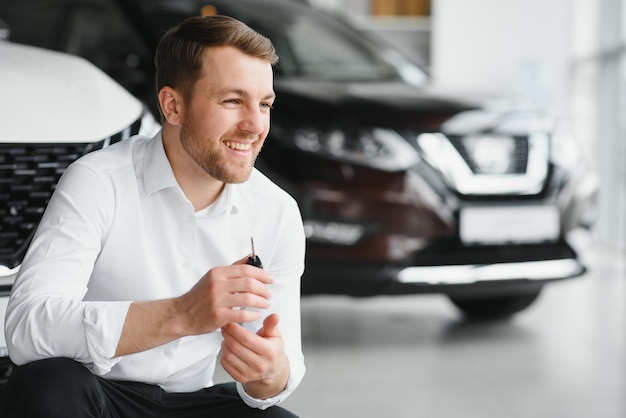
256, 360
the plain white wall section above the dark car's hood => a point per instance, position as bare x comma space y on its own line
502, 47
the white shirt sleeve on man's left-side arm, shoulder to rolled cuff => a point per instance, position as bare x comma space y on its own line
46, 315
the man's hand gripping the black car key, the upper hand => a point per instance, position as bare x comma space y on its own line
209, 304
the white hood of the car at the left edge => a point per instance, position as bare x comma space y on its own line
50, 96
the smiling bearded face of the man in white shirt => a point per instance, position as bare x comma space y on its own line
228, 116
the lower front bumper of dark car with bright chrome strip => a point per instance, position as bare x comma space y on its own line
448, 269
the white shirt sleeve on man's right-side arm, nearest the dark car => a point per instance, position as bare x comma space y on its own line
287, 267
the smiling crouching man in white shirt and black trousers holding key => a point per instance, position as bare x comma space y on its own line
137, 279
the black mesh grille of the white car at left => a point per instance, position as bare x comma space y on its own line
29, 173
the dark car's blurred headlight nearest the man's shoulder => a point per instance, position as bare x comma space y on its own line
379, 148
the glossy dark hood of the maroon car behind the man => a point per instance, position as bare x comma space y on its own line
393, 104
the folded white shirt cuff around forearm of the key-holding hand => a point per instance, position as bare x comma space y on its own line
103, 322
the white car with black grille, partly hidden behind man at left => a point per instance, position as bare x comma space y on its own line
55, 107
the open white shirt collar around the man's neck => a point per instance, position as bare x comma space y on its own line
158, 175
